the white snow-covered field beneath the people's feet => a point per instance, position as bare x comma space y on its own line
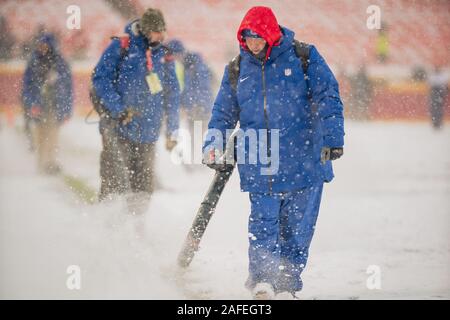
389, 206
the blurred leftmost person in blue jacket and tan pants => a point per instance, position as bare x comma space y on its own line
47, 98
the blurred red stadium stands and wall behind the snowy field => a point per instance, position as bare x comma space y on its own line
415, 38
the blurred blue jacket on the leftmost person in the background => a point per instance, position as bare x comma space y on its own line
36, 74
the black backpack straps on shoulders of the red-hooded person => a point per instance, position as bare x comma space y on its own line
301, 50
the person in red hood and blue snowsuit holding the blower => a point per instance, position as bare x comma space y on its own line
297, 120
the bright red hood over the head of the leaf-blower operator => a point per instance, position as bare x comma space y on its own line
262, 21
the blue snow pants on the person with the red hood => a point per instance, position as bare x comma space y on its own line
281, 226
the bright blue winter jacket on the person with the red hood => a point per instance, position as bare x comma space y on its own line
304, 127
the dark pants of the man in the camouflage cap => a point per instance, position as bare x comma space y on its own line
125, 166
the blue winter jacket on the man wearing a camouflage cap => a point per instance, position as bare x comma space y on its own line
120, 82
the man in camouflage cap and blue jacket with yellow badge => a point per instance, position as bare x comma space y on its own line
134, 84
